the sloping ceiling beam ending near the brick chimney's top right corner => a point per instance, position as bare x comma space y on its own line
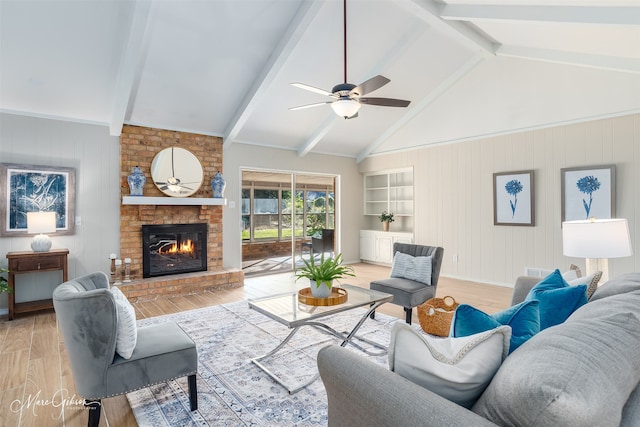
306, 12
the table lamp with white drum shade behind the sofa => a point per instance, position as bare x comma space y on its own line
597, 240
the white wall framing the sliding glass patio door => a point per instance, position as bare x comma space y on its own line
349, 202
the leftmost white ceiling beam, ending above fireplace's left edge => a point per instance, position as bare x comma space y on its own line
131, 63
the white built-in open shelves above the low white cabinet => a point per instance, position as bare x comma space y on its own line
390, 191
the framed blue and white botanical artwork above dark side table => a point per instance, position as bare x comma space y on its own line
29, 188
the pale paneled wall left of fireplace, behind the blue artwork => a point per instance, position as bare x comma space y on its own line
95, 156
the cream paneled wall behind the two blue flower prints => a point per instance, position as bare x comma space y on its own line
453, 187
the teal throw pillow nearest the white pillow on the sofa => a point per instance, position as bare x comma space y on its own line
523, 318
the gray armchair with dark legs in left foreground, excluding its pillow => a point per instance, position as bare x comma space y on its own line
87, 317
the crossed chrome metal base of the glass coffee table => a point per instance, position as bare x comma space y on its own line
347, 338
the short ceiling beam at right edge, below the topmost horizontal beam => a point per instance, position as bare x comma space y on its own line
602, 62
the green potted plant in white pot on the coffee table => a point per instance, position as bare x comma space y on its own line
323, 274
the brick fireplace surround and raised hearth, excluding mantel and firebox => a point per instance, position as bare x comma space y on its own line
138, 147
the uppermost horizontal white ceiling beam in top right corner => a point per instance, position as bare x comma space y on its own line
567, 14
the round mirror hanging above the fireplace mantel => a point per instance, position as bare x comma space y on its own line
176, 172
